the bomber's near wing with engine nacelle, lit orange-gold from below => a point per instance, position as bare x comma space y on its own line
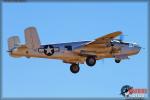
100, 46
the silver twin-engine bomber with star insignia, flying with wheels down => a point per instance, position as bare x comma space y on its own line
74, 53
